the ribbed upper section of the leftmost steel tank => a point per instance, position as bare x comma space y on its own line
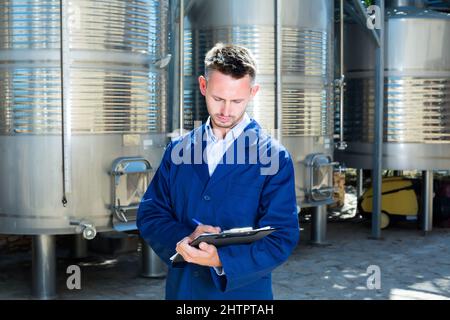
113, 87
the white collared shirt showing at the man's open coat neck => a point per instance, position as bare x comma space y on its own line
215, 147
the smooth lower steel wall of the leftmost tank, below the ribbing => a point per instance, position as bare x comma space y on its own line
30, 188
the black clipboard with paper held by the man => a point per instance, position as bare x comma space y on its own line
227, 237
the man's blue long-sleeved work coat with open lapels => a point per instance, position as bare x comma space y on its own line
236, 195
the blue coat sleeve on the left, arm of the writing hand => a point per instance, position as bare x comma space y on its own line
155, 218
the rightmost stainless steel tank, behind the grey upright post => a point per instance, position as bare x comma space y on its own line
417, 87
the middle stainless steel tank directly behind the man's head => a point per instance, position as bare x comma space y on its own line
306, 68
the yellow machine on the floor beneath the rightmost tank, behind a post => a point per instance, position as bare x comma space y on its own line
398, 198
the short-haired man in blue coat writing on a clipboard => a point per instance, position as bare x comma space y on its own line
219, 175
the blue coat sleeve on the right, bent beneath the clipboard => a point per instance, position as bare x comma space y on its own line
244, 264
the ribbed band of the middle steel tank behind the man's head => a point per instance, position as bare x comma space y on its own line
305, 66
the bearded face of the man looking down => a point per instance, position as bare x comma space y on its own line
226, 97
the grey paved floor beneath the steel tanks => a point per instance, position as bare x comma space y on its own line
412, 267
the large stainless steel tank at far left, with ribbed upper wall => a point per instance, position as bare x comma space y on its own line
83, 111
